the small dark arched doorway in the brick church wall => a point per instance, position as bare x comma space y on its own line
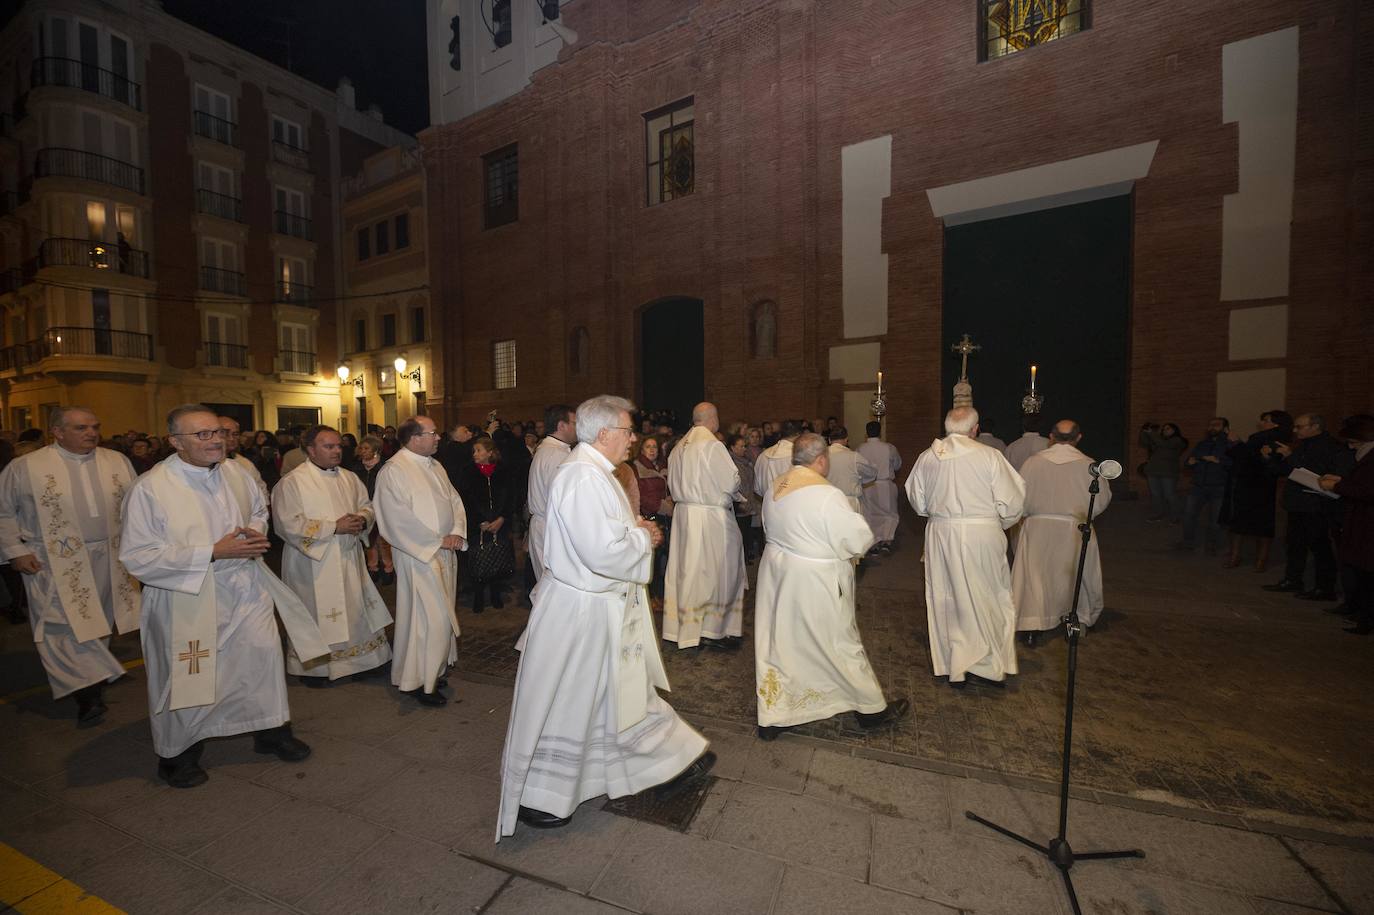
673, 361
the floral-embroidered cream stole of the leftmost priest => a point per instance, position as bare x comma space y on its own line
74, 580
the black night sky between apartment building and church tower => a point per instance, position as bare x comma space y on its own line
379, 45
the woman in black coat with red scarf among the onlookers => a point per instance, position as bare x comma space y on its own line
490, 498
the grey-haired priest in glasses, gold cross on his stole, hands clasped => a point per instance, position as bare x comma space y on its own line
194, 535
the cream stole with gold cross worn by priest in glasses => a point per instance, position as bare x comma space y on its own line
194, 616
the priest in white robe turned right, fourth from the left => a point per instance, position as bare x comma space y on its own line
423, 517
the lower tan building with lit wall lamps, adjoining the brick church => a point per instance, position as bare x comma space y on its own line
390, 370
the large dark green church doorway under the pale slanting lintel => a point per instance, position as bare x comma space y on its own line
1053, 289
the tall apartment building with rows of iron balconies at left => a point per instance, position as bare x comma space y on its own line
168, 221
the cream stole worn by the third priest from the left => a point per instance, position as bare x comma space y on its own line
318, 493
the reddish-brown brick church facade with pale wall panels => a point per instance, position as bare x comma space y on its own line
1243, 138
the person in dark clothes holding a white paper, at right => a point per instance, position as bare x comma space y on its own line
1313, 517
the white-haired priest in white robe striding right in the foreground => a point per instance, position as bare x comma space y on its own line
587, 719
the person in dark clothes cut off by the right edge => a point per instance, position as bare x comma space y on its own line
1357, 493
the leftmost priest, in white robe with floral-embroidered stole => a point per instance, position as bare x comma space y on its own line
60, 528
